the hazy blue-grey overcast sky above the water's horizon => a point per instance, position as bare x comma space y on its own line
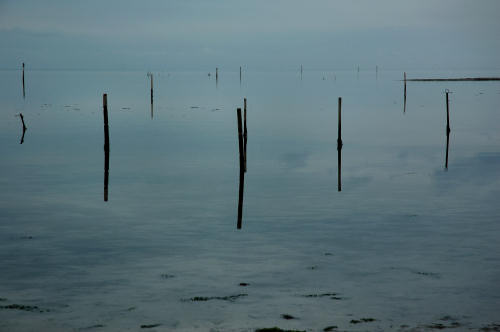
256, 34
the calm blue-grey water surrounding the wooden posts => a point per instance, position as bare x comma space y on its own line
405, 242
